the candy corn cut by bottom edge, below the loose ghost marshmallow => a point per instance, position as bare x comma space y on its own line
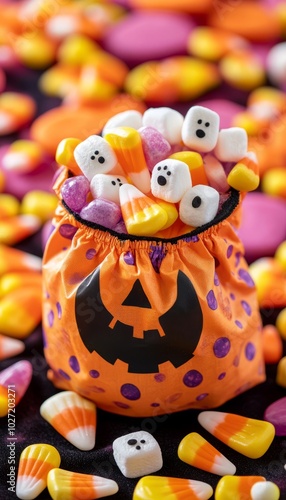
171, 488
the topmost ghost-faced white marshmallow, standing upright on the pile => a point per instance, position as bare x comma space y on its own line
200, 129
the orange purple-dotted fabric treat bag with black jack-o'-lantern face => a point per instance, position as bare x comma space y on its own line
144, 327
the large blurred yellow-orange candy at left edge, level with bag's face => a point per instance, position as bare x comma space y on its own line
21, 311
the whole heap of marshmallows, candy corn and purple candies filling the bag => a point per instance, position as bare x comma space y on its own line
175, 169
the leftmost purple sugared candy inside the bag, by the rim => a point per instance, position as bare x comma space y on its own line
74, 192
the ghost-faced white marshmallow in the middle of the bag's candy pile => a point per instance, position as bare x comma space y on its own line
170, 179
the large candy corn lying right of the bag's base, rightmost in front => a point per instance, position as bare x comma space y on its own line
248, 436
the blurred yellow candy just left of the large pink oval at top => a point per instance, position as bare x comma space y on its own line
76, 49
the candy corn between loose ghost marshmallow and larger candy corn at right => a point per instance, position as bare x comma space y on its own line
196, 451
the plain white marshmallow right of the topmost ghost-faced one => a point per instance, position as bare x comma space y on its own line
232, 144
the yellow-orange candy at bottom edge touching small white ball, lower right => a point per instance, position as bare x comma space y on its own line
236, 487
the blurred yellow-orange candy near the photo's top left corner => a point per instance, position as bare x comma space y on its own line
35, 50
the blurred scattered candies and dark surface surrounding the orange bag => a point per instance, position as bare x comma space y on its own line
66, 67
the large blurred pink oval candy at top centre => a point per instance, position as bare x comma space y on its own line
144, 36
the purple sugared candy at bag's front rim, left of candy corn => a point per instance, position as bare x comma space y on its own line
103, 212
